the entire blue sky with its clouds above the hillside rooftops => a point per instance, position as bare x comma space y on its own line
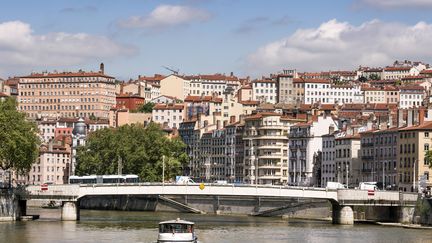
247, 37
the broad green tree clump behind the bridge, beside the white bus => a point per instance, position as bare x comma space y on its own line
140, 148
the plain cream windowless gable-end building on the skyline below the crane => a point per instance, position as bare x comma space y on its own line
175, 86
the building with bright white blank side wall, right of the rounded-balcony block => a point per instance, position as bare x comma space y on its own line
305, 142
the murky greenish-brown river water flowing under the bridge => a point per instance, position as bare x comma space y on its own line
120, 226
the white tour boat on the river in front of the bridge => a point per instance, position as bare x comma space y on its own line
176, 231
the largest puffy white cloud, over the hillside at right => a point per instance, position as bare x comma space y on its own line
340, 45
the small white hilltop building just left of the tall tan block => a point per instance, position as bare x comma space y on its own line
264, 91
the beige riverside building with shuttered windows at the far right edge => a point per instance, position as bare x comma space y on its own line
413, 143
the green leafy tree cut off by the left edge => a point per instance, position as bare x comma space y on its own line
19, 141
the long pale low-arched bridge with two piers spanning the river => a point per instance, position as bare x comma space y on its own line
342, 200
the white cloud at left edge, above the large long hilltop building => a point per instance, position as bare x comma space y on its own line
21, 48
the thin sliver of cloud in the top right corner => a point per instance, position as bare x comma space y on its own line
386, 4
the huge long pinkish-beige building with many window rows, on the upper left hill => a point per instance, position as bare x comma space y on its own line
67, 94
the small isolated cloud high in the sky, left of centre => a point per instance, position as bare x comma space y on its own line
166, 16
